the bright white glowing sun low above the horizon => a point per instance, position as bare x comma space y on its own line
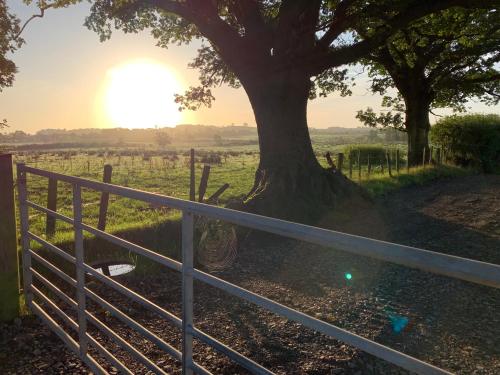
140, 94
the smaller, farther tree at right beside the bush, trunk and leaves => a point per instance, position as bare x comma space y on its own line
441, 60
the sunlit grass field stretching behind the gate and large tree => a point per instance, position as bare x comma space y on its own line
167, 172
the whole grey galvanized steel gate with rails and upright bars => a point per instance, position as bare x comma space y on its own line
460, 268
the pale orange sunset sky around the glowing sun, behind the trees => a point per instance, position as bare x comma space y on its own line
67, 79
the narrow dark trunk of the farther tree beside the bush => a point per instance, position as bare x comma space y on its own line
417, 126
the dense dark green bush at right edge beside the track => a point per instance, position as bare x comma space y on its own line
470, 140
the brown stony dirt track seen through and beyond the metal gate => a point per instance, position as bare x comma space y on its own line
451, 324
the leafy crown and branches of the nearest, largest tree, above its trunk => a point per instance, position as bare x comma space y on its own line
247, 38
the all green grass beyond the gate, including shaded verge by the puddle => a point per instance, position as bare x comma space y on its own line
157, 228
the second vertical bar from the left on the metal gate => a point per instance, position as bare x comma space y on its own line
80, 272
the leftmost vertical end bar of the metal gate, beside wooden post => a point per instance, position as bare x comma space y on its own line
25, 242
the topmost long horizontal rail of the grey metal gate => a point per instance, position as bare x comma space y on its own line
425, 260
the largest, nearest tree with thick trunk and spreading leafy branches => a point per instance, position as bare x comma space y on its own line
282, 53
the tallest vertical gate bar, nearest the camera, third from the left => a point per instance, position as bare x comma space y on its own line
187, 292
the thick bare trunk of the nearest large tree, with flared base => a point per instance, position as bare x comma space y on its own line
289, 182
